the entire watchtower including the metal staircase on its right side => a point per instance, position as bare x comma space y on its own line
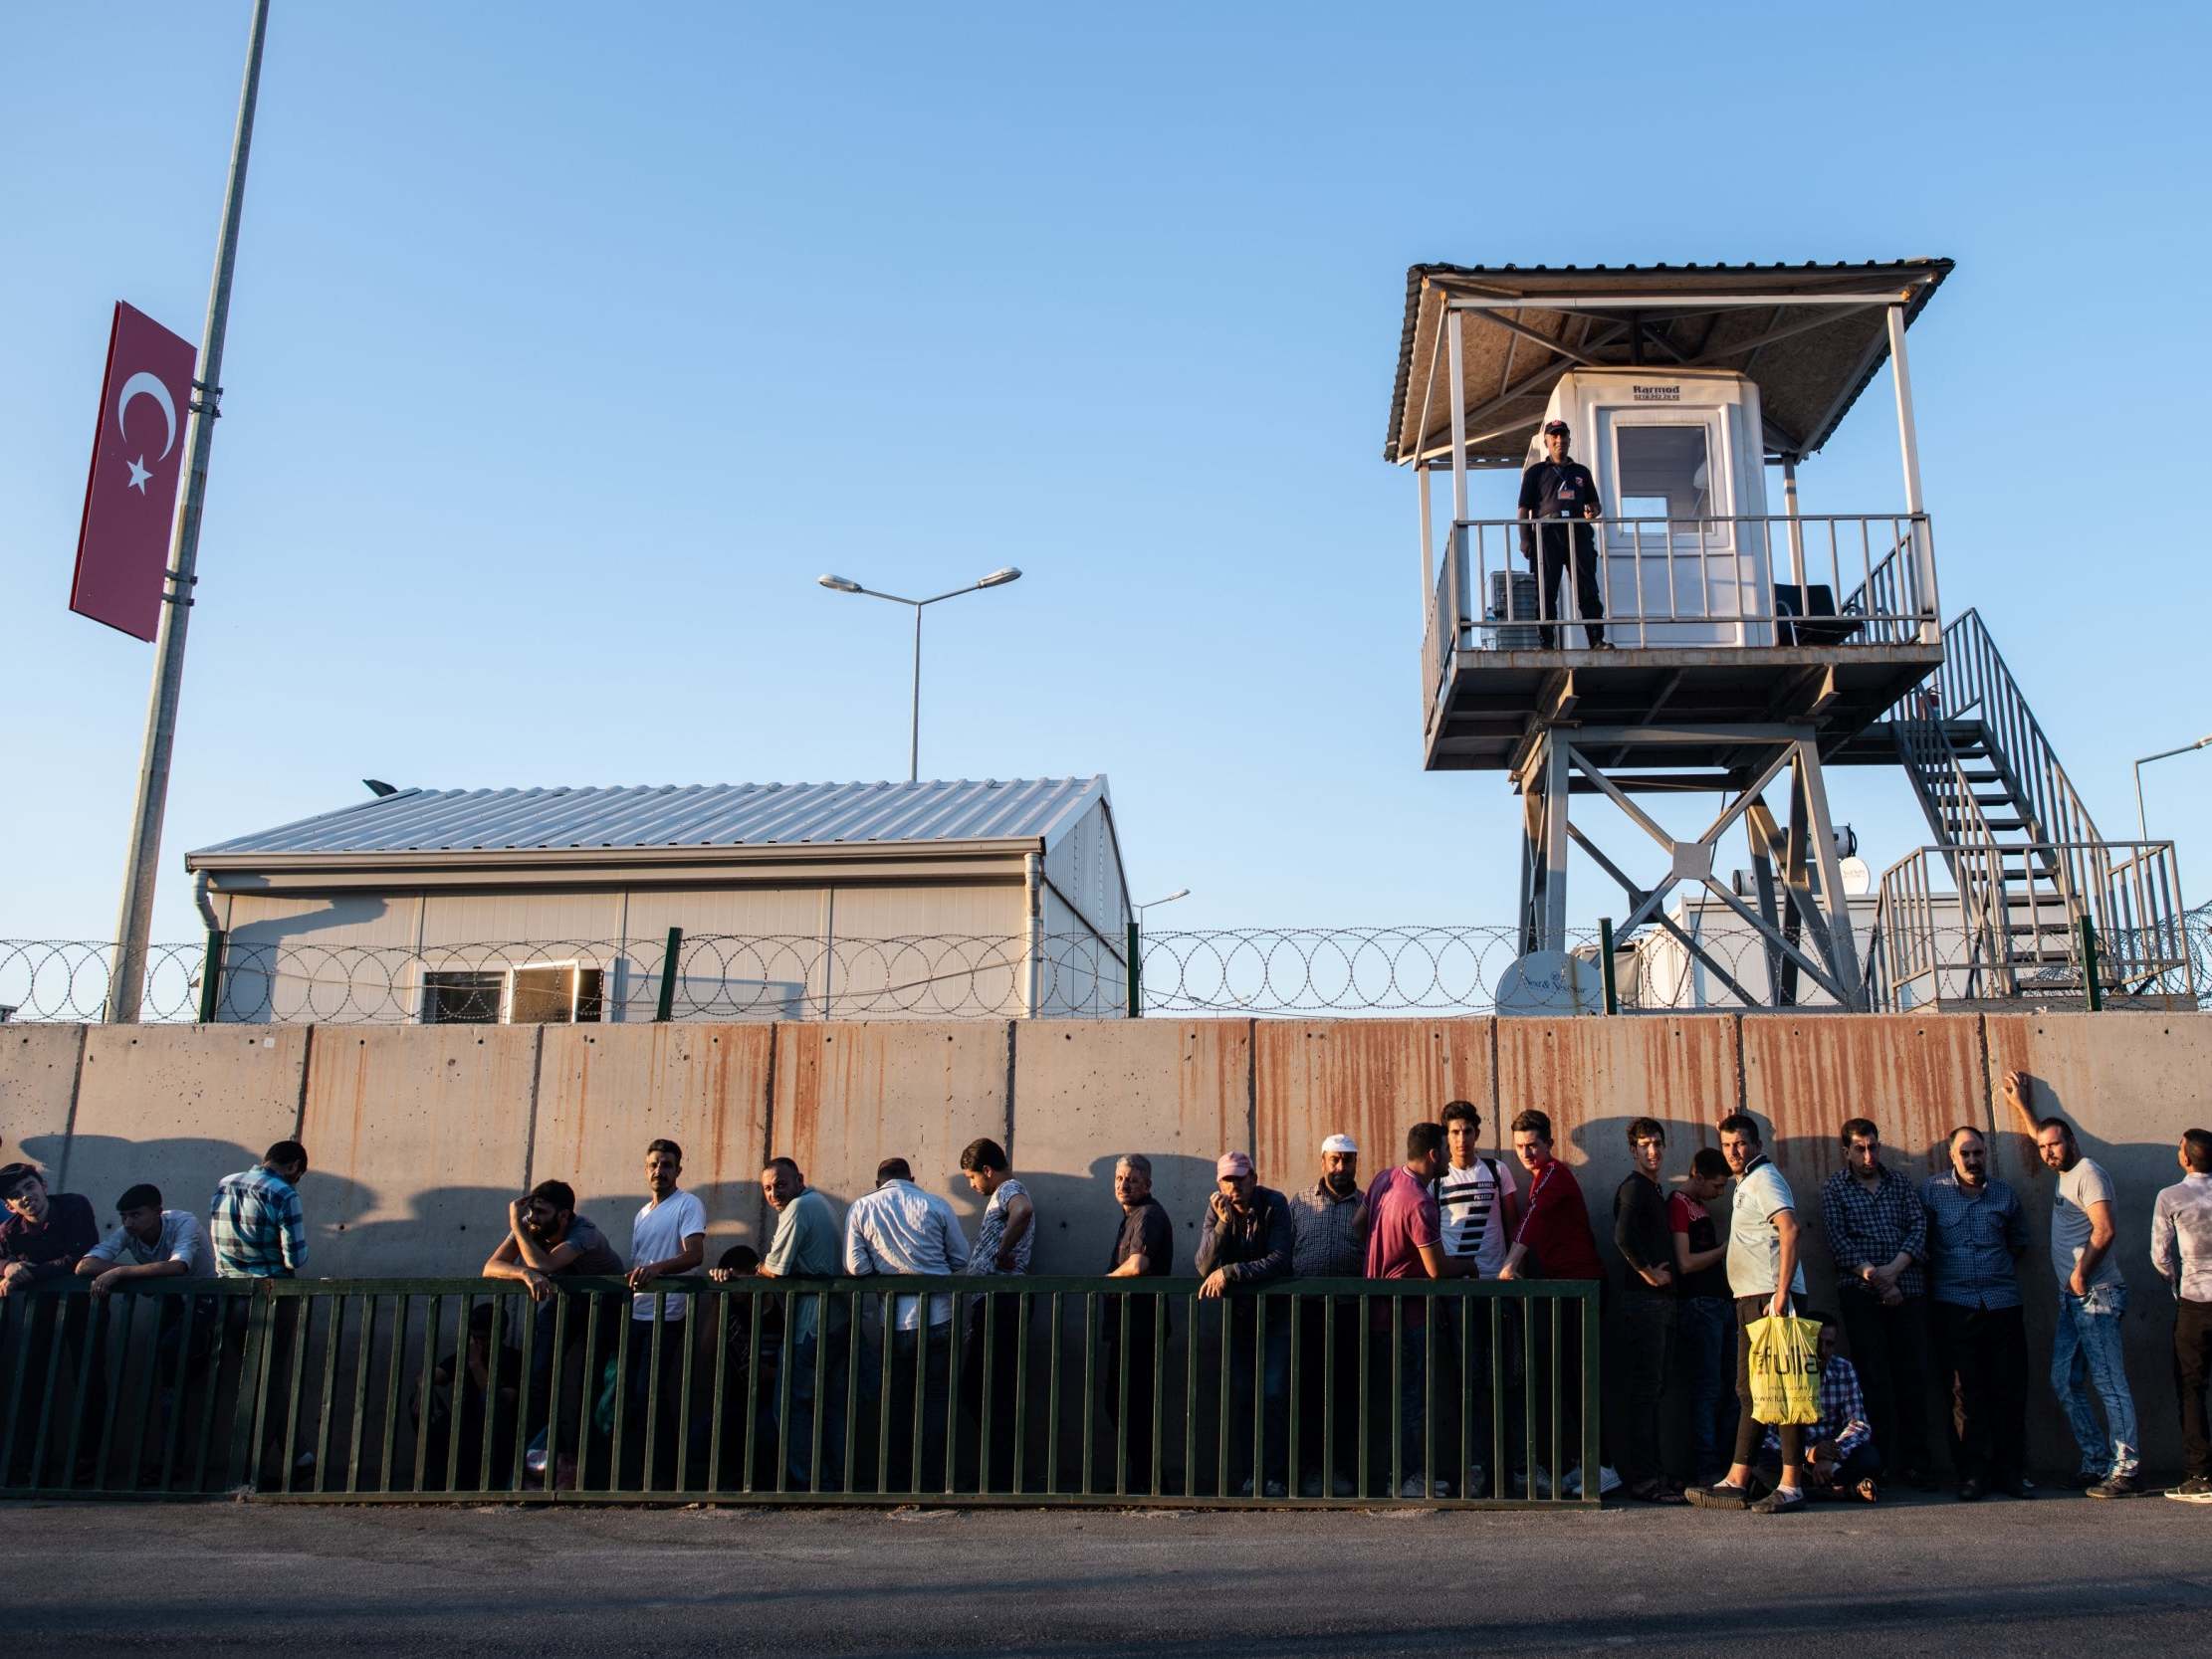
1744, 649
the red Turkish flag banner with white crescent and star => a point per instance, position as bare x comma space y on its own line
138, 463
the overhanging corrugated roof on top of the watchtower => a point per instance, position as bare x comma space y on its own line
1806, 382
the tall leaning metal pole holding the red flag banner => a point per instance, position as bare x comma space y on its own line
132, 928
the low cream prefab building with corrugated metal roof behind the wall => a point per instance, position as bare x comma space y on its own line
740, 901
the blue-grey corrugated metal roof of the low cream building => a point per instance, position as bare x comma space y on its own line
700, 815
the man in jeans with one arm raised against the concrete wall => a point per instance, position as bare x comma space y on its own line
2087, 1346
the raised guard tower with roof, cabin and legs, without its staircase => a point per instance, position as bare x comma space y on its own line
1746, 643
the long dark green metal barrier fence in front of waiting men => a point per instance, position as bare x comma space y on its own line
826, 1392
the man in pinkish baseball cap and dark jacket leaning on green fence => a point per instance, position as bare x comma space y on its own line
1244, 1244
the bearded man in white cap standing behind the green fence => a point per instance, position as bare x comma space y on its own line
1328, 1224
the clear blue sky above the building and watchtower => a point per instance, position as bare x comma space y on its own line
572, 344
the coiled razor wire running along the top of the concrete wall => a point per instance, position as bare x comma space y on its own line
1335, 972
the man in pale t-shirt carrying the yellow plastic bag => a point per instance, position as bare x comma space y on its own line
1766, 1275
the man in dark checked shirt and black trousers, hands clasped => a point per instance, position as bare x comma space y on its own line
1879, 1240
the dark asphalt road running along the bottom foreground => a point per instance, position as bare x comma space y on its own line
2060, 1576
